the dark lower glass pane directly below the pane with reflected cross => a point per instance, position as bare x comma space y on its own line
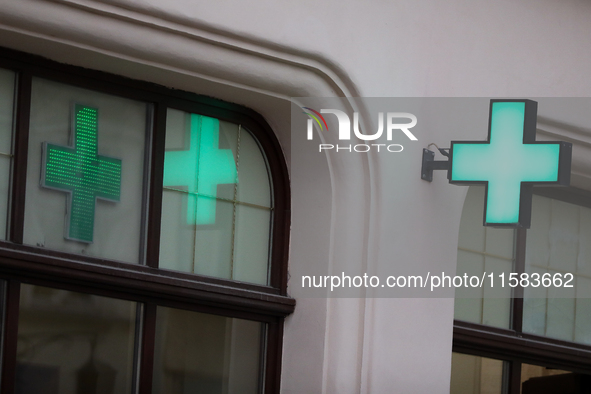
202, 353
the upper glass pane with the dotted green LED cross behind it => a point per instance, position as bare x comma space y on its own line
87, 148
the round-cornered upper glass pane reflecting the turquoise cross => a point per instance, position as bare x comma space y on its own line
216, 203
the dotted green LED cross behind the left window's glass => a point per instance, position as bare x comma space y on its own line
82, 173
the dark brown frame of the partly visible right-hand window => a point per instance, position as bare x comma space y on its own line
513, 345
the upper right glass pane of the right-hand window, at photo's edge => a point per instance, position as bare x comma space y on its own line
558, 243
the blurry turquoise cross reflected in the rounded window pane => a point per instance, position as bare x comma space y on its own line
200, 169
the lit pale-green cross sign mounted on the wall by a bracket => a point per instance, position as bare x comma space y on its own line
510, 162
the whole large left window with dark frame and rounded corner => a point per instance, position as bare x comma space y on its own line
145, 237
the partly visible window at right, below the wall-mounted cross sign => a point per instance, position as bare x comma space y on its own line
528, 337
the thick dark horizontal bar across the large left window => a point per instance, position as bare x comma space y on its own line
32, 264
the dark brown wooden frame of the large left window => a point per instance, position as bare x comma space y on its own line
145, 284
